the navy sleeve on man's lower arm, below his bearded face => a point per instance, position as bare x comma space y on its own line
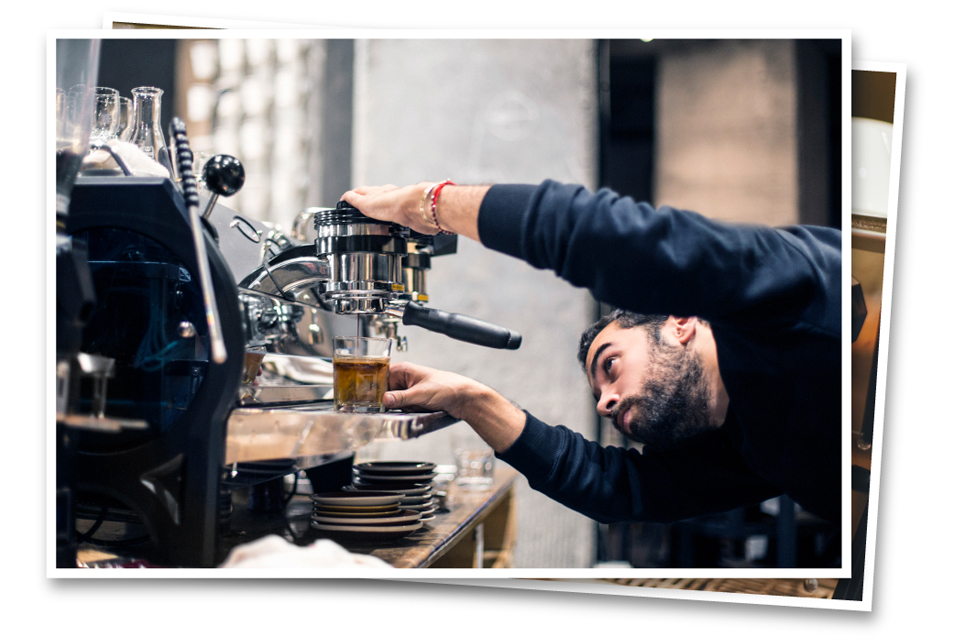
620, 484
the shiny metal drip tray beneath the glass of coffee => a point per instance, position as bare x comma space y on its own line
308, 432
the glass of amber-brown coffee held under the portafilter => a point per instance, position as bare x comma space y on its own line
361, 366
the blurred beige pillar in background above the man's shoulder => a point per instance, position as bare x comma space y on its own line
727, 143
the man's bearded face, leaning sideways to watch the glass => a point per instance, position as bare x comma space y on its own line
655, 392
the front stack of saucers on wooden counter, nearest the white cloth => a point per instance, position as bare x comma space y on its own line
363, 515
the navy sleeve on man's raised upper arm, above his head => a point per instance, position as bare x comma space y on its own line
666, 261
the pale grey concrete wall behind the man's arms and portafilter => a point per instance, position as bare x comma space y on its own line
479, 111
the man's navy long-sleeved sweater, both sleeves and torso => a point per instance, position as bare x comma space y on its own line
773, 299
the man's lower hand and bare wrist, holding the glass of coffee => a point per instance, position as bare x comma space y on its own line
417, 388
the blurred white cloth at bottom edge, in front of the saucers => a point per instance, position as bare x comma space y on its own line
273, 551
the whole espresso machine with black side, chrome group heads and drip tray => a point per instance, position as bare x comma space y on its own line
210, 336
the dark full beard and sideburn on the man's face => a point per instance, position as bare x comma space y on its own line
672, 408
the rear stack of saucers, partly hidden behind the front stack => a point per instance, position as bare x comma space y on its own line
412, 479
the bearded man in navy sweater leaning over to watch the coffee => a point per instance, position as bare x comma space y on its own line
723, 361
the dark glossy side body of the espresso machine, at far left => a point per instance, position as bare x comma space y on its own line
164, 466
